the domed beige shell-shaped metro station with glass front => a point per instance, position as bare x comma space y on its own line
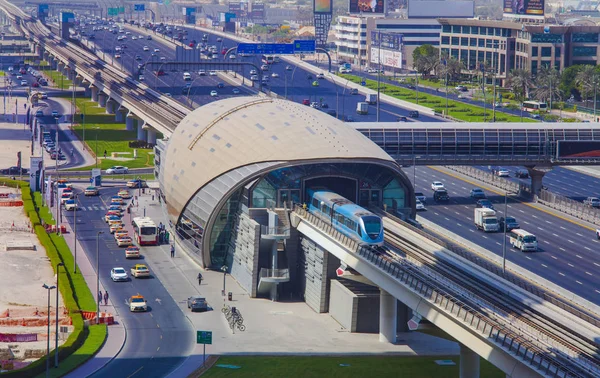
232, 171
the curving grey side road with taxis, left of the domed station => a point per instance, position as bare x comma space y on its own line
158, 340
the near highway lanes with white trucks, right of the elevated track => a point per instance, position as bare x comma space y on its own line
568, 254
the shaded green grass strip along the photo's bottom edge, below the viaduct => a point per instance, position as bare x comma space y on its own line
330, 367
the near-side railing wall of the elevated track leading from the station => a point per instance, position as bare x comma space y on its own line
508, 339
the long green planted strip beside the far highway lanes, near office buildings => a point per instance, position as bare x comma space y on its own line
456, 109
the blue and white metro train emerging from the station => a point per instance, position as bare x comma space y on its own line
347, 217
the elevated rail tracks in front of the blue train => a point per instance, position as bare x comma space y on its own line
576, 353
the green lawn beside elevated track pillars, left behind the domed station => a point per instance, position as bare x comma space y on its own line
112, 137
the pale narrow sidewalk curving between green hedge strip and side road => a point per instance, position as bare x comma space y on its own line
116, 332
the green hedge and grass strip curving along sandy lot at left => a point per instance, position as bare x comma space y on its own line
83, 342
